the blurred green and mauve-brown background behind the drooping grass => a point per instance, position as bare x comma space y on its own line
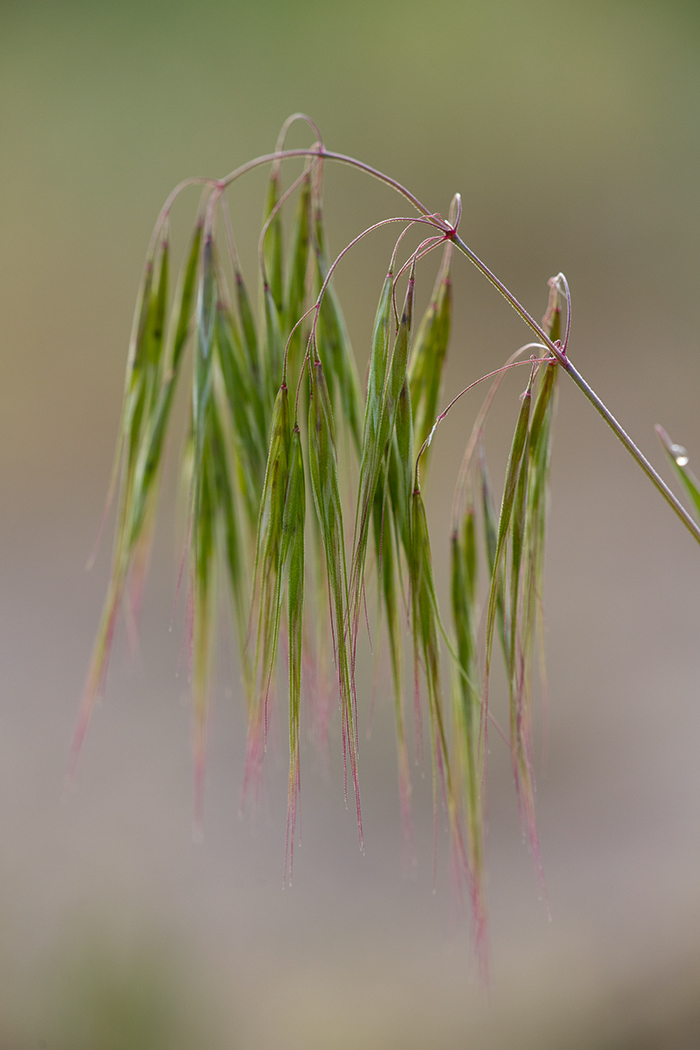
572, 130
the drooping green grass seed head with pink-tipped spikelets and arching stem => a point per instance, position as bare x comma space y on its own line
274, 394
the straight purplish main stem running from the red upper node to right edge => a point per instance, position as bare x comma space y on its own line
564, 361
